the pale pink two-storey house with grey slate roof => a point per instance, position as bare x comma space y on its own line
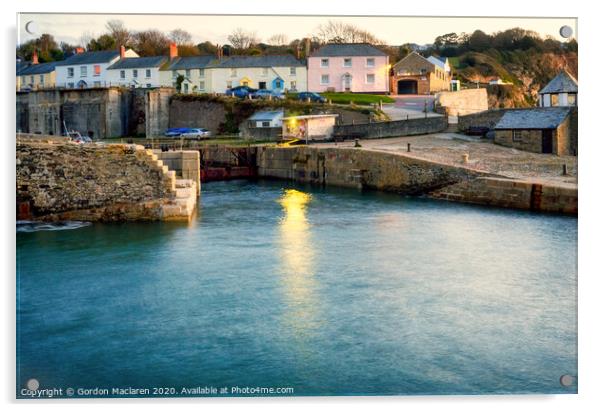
352, 67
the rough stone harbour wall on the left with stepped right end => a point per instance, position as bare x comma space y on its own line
65, 181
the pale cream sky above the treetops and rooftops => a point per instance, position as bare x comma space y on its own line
215, 28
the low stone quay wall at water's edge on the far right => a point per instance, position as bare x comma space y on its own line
511, 194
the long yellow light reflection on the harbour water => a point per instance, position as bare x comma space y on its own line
298, 261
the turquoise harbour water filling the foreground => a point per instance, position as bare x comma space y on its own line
326, 291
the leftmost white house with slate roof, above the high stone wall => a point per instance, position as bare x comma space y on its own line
88, 69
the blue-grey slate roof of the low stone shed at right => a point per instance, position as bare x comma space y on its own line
536, 118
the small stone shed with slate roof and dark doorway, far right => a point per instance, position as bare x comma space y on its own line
539, 130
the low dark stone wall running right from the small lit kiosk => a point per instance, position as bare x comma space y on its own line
395, 128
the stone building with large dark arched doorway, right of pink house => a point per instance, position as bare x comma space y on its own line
415, 74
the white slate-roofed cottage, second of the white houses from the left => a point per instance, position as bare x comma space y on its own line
136, 71
